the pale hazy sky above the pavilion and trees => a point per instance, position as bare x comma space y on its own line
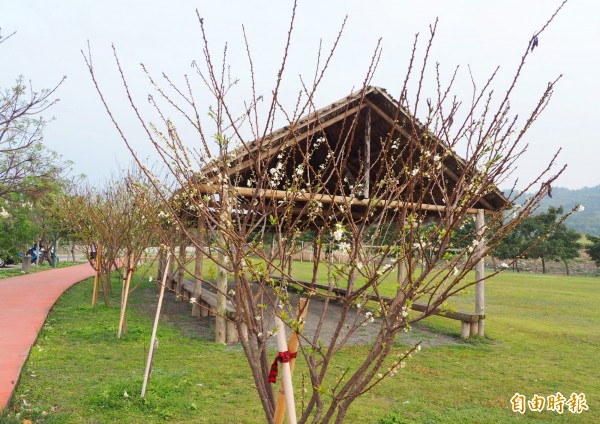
165, 37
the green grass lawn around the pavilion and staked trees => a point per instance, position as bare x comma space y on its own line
542, 337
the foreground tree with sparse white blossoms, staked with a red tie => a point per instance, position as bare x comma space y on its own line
208, 190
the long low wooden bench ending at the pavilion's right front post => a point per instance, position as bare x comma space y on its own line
469, 321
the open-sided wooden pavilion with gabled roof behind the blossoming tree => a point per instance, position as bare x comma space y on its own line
353, 128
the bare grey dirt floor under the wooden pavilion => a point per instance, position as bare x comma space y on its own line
178, 313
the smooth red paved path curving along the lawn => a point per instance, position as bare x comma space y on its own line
24, 304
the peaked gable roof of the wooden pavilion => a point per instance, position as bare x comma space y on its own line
346, 125
